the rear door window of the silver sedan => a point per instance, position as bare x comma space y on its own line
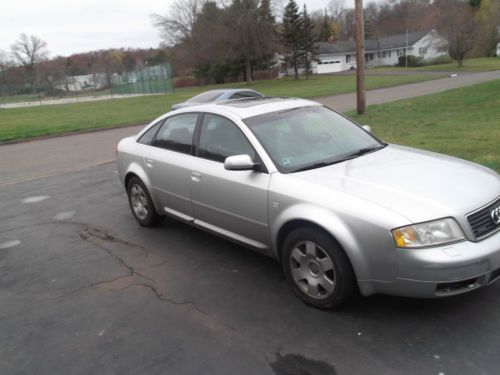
176, 133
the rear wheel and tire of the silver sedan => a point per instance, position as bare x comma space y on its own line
141, 203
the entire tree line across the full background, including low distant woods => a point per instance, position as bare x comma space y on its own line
229, 40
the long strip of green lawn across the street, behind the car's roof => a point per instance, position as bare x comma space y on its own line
28, 122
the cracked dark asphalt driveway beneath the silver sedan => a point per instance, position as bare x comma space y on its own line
85, 290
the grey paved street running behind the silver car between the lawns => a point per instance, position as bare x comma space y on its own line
50, 156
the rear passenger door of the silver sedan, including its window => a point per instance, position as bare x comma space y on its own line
170, 162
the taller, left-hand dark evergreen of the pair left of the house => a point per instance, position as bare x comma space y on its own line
291, 36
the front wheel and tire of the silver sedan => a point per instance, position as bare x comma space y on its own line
318, 269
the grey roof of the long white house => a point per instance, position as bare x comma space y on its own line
372, 45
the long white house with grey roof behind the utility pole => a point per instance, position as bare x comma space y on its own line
340, 56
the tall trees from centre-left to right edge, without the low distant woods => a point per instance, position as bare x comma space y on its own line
221, 40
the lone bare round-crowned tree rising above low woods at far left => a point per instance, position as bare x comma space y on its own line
28, 51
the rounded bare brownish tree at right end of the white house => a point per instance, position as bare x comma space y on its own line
456, 24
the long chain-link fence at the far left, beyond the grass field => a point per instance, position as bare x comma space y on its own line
57, 88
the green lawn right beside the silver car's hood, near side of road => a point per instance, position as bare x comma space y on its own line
463, 122
